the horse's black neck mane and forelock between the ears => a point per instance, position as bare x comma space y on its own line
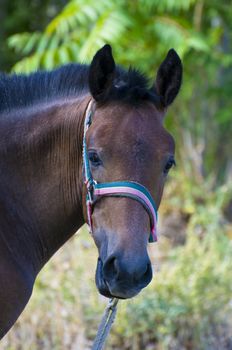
69, 81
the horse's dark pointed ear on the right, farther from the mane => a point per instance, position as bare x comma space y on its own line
169, 77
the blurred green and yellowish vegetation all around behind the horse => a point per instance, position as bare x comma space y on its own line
189, 303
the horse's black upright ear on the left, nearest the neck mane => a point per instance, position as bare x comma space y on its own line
101, 73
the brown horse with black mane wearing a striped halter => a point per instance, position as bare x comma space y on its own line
42, 177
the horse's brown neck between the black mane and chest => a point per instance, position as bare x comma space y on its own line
41, 182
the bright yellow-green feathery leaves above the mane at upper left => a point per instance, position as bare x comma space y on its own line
64, 39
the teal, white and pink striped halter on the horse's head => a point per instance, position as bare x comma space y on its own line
129, 189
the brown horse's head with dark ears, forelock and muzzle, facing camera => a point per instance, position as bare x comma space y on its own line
127, 142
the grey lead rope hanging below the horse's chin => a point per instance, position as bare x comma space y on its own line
106, 324
